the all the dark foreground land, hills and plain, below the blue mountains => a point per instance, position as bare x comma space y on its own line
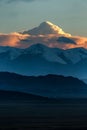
37, 111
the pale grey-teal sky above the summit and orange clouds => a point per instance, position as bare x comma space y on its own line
18, 15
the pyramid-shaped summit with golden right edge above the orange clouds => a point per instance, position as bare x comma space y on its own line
46, 28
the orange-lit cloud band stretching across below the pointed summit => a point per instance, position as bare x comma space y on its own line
25, 40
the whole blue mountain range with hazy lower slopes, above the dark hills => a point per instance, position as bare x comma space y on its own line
39, 59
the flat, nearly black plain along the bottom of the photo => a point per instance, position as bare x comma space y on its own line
44, 115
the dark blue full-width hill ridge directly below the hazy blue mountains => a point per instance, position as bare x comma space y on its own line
47, 86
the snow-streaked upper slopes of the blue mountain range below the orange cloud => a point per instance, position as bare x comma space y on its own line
70, 56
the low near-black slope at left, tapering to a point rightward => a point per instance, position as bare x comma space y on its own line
13, 96
